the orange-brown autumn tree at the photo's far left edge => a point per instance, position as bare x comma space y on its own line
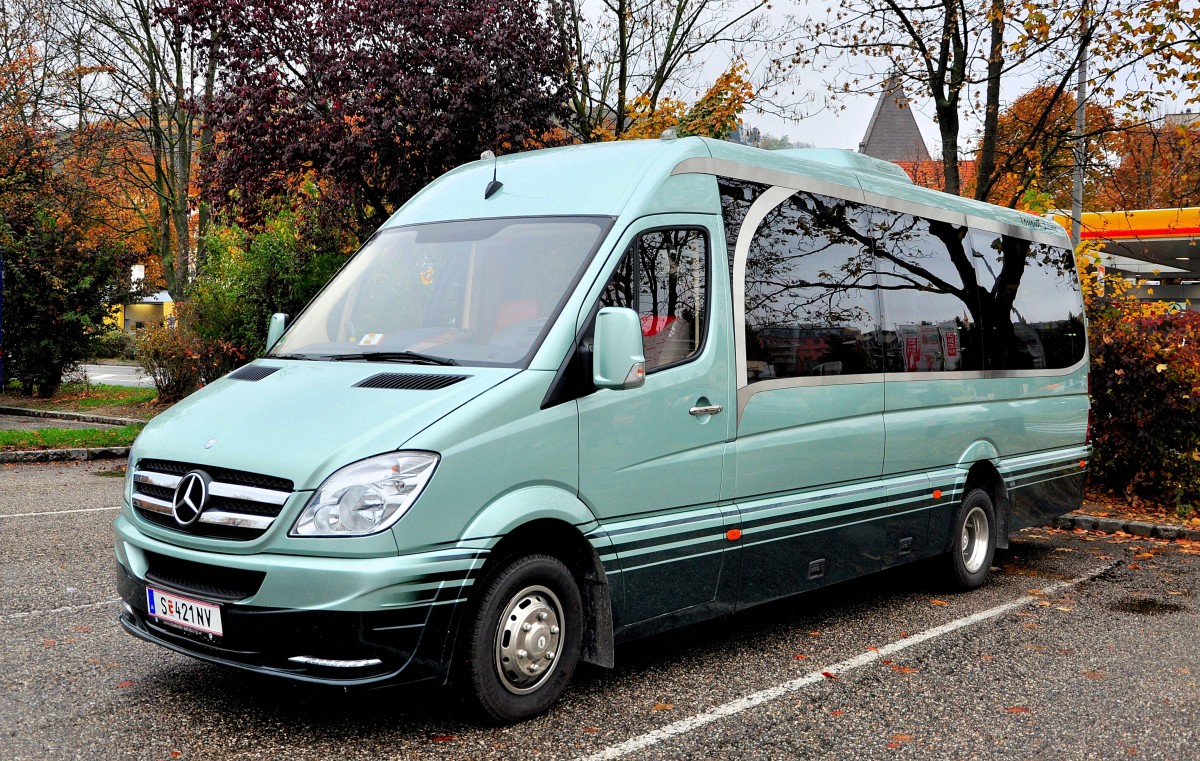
63, 266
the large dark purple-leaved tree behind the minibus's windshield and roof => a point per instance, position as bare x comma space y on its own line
380, 98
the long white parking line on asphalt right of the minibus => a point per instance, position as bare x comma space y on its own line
814, 678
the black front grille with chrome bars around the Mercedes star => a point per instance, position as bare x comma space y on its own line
241, 506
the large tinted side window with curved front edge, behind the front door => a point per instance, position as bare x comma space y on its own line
811, 303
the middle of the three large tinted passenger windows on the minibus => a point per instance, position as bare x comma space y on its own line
931, 304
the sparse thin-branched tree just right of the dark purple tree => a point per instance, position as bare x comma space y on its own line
625, 58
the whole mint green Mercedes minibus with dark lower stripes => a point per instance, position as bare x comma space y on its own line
571, 398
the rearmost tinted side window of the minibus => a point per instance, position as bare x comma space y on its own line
1033, 309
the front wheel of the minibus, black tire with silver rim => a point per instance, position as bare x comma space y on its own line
523, 639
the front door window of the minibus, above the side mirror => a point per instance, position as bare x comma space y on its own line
664, 278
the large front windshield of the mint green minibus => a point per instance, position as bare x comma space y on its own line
478, 292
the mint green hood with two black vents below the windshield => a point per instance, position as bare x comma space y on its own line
302, 421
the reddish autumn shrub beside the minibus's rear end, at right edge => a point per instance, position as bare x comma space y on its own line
1147, 406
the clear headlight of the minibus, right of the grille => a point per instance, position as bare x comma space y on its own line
367, 498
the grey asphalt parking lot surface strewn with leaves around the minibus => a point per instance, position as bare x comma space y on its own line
1079, 648
